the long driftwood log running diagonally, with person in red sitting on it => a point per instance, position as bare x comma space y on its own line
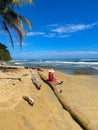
76, 115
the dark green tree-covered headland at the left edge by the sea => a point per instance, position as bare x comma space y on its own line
4, 53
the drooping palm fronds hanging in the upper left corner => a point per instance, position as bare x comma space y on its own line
12, 21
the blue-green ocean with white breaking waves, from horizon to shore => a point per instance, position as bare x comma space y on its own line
70, 66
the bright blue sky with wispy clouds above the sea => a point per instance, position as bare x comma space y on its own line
61, 29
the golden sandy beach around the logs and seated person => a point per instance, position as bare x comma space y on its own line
47, 113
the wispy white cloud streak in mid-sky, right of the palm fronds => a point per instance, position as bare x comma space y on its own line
61, 31
